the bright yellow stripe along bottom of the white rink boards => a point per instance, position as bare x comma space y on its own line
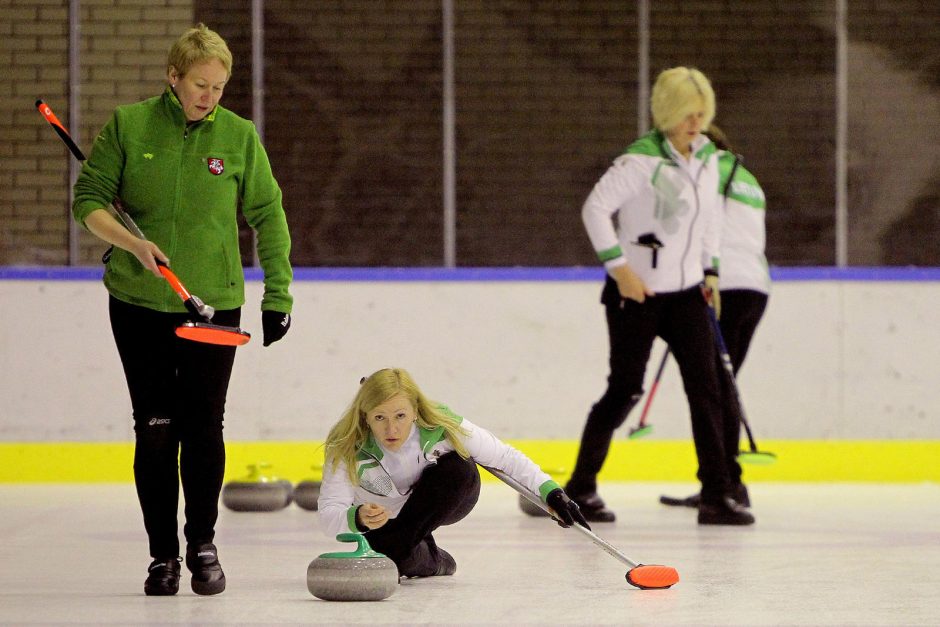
629, 460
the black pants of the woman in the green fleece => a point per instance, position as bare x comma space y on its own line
178, 389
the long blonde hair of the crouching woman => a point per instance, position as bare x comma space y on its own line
351, 431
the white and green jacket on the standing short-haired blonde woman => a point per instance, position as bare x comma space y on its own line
654, 192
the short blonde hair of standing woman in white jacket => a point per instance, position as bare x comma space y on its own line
678, 92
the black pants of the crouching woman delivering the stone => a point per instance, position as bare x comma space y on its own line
444, 494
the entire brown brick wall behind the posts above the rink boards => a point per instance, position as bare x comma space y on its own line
546, 97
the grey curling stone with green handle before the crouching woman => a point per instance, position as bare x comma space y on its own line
362, 575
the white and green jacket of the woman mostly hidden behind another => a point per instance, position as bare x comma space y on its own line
743, 232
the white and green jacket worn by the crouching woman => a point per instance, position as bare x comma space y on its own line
378, 468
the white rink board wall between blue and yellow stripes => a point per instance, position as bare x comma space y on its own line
832, 360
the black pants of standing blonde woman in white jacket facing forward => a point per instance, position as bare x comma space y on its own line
681, 320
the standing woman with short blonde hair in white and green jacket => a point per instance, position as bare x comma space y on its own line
664, 246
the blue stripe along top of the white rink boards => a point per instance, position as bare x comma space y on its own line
431, 274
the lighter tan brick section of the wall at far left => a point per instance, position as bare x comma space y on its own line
123, 57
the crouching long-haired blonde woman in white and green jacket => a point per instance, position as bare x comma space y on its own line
399, 465
